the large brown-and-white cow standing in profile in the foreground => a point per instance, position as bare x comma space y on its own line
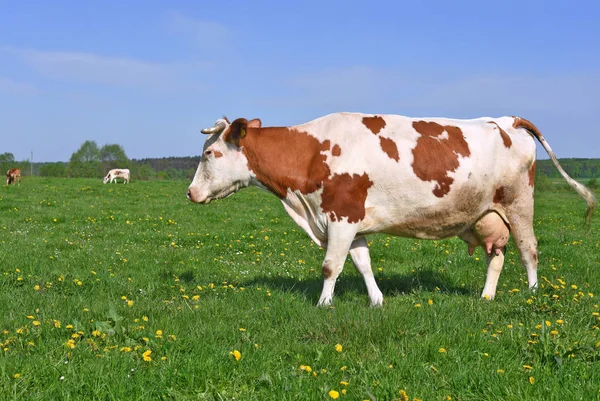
346, 175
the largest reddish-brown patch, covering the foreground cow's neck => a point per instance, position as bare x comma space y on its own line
284, 158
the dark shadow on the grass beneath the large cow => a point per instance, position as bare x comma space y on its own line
390, 285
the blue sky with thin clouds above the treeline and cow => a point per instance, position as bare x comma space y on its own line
150, 74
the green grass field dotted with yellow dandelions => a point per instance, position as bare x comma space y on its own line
130, 292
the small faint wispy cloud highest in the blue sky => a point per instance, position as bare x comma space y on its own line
205, 33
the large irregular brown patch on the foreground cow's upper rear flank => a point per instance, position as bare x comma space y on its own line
435, 157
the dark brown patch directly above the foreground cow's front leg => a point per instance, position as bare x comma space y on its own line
344, 195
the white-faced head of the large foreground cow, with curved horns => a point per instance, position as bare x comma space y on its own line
223, 169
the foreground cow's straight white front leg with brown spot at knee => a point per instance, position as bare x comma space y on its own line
339, 239
